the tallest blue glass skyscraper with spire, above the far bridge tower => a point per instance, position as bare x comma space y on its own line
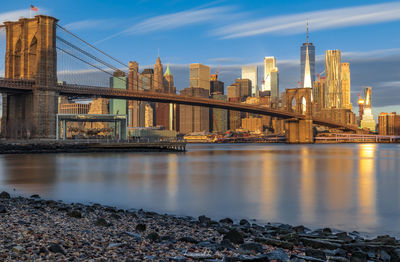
307, 63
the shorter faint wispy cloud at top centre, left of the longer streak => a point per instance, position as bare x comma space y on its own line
180, 19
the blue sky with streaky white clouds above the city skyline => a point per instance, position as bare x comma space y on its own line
234, 33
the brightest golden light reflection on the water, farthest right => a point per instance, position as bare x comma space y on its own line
367, 186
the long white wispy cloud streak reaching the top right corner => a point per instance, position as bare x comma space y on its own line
318, 20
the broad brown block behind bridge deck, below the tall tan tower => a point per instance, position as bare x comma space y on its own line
194, 118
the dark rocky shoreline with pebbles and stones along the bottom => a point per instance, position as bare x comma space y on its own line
34, 229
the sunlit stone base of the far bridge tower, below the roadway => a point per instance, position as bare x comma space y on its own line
299, 131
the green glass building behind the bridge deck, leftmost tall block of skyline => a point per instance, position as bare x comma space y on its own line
118, 106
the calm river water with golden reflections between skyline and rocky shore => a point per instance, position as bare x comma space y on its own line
343, 186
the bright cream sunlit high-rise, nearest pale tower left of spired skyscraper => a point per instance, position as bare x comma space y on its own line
271, 77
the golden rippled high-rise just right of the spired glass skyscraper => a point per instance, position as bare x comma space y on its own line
333, 69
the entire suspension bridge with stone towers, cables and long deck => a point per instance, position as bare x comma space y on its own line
30, 87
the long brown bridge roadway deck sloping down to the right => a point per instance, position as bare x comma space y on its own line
12, 86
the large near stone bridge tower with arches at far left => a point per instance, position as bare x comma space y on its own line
31, 54
